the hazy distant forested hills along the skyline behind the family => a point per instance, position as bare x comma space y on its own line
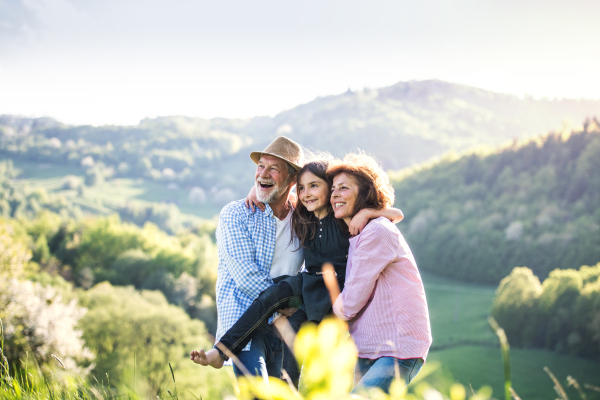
402, 125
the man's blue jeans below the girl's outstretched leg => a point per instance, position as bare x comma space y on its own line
265, 356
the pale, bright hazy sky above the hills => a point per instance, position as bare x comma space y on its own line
118, 61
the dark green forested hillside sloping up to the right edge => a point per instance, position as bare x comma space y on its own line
534, 205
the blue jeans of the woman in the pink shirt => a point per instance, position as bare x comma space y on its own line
382, 371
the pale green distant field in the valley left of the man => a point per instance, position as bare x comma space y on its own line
106, 196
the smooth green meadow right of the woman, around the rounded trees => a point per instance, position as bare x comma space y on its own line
468, 349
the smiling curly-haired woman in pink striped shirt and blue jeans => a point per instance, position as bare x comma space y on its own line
383, 299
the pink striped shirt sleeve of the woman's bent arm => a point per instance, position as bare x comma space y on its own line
377, 248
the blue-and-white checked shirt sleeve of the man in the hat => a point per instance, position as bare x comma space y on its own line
239, 254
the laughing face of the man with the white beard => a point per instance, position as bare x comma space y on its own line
271, 179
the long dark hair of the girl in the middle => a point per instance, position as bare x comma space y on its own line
304, 222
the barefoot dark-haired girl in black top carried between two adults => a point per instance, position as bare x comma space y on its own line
323, 239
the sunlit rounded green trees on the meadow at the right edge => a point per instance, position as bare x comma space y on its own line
561, 314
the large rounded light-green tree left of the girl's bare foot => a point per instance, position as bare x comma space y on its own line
123, 323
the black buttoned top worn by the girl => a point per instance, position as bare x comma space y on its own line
328, 245
